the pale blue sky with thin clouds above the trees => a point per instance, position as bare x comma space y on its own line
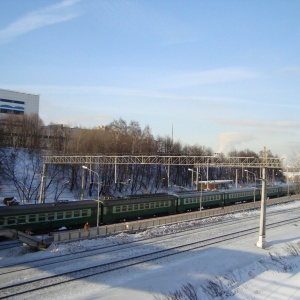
224, 74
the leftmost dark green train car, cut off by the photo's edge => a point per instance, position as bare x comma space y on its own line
40, 218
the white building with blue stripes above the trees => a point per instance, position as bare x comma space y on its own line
18, 103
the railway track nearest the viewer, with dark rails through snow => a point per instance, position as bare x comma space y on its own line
22, 290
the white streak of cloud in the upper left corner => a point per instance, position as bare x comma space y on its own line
53, 14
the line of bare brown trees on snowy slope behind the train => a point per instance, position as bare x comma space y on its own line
25, 140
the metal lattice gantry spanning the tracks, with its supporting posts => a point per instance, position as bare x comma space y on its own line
171, 160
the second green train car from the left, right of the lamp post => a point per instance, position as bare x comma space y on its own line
131, 208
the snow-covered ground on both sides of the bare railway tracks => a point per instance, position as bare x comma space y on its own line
231, 270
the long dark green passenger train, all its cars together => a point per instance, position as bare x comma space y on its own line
41, 218
